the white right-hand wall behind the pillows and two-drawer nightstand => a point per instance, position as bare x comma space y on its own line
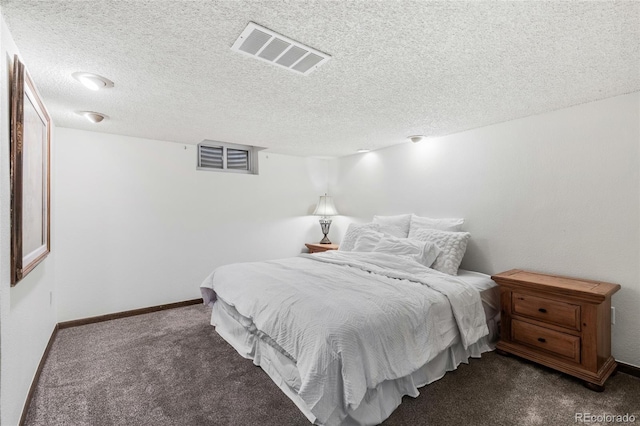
557, 193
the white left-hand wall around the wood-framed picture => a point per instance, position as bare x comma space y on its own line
27, 317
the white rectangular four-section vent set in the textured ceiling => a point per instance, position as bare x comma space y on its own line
263, 44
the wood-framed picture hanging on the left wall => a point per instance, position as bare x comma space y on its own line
30, 186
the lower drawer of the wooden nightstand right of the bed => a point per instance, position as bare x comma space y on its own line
558, 343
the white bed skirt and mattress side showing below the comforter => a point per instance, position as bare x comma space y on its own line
380, 402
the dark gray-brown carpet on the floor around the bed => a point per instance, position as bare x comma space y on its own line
172, 368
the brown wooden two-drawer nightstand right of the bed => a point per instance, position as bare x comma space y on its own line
563, 323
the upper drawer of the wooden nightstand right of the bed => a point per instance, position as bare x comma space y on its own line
547, 310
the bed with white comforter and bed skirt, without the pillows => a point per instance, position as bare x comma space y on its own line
346, 334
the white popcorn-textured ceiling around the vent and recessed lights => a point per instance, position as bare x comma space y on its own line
398, 68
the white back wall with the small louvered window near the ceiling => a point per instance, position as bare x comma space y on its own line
137, 225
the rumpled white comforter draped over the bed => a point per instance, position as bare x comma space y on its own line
350, 320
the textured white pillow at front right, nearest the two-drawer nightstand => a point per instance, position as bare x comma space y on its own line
452, 244
